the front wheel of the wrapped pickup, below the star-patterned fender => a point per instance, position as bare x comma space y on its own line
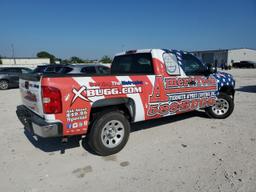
223, 107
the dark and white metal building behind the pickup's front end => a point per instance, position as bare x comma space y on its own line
226, 56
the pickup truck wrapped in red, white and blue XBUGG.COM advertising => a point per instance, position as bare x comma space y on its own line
143, 85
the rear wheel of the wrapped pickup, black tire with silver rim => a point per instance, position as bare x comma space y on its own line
109, 133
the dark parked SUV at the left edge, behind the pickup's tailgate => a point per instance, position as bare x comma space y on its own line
9, 76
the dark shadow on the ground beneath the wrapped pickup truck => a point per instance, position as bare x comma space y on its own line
55, 144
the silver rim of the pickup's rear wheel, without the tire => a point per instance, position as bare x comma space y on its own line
112, 134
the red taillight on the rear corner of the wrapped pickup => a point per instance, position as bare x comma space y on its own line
51, 98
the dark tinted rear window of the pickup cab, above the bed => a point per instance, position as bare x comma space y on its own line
140, 63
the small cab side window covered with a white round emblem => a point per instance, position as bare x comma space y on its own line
171, 64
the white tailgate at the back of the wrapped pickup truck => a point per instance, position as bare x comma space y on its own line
31, 93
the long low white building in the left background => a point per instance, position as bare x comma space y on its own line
24, 61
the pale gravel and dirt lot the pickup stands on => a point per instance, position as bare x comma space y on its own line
185, 153
